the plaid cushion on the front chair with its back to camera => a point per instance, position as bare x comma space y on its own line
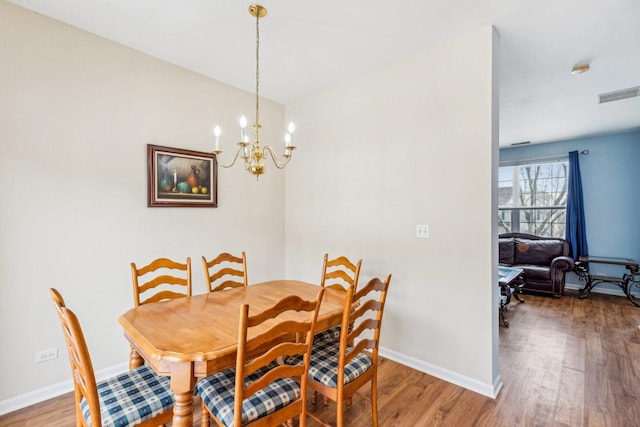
217, 393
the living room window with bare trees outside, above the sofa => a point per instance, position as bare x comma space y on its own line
532, 198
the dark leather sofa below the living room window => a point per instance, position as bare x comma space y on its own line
544, 260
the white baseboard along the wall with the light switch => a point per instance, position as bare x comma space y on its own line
489, 390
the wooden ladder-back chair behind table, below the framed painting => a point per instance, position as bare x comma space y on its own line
158, 281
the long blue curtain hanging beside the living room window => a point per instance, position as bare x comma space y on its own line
576, 233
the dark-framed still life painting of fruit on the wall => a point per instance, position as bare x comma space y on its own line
181, 178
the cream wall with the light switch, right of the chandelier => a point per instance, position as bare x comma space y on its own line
415, 143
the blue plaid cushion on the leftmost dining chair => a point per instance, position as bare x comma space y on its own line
132, 397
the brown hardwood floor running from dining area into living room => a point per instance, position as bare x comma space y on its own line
564, 362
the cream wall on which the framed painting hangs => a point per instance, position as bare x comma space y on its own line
76, 113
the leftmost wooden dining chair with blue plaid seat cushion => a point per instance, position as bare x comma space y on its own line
135, 398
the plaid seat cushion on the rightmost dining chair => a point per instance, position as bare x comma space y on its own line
324, 363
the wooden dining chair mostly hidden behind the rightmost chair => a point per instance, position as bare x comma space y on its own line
338, 273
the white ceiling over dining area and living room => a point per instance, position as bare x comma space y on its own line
309, 46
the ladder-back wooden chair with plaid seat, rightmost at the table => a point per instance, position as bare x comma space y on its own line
339, 368
